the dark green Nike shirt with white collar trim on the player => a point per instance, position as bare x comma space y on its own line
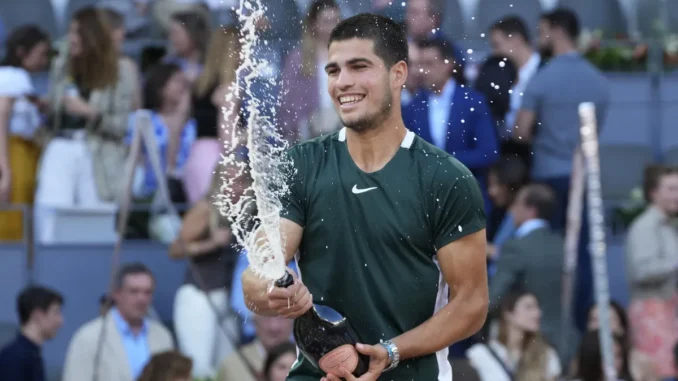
370, 239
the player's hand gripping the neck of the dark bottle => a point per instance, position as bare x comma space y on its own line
290, 302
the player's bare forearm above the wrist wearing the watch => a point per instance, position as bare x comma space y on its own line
460, 318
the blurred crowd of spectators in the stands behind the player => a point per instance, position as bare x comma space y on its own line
513, 120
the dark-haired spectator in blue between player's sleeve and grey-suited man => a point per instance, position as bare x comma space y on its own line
505, 178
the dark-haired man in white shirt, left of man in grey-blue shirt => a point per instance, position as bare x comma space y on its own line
510, 38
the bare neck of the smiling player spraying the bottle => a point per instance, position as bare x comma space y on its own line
372, 149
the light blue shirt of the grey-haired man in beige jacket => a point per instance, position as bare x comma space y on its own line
135, 344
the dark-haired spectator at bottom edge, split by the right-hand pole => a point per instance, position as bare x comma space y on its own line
590, 360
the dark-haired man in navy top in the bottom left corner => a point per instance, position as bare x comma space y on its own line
39, 311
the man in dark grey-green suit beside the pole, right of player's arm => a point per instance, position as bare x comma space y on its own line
533, 259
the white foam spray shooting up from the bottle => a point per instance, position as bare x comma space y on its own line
267, 166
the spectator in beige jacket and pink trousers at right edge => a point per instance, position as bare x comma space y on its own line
652, 266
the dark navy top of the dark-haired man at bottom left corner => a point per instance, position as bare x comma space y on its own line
21, 361
